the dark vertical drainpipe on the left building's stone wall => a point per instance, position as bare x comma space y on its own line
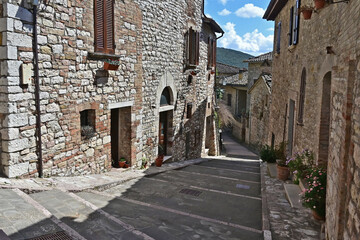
35, 3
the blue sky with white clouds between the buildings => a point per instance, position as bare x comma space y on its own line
245, 30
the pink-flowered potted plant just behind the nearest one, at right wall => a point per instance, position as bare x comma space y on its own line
300, 163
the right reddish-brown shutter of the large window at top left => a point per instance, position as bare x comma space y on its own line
109, 23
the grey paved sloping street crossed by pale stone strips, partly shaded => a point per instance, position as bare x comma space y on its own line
217, 199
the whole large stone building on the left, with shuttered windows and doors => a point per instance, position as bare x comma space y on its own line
109, 79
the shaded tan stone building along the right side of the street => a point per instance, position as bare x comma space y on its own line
316, 99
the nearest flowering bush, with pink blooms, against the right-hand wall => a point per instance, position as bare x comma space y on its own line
314, 197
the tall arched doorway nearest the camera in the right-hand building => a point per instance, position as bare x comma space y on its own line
324, 134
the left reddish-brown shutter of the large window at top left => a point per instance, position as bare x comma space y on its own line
99, 26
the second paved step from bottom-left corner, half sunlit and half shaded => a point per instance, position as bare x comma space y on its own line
79, 216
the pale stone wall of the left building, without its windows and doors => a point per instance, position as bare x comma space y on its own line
150, 44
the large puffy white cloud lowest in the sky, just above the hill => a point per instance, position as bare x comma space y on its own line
254, 43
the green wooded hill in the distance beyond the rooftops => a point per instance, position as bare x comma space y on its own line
232, 57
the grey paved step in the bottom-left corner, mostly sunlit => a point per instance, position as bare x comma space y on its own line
21, 220
